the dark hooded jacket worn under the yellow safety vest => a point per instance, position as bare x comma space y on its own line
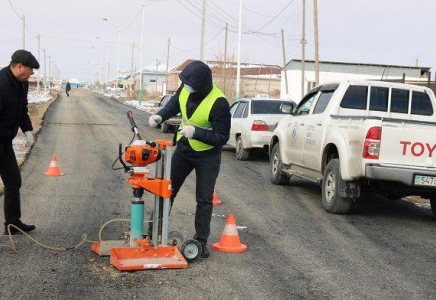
199, 76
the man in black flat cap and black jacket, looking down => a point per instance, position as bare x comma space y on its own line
14, 115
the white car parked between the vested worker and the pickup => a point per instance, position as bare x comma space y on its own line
253, 121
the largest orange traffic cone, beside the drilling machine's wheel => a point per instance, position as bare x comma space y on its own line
230, 241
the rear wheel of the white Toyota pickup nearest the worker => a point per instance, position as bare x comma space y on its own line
331, 201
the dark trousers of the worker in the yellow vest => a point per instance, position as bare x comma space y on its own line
206, 170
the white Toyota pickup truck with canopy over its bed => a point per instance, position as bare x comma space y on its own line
358, 136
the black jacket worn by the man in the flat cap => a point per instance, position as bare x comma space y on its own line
13, 107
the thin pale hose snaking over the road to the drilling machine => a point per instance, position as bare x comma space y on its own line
83, 241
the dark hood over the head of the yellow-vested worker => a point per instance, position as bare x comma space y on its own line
198, 75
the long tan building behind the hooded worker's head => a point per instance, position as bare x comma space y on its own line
255, 78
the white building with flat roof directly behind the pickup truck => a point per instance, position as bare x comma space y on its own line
338, 71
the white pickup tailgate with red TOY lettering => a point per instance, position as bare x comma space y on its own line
408, 144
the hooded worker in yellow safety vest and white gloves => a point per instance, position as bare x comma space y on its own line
204, 130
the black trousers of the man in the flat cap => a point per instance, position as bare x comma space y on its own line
11, 177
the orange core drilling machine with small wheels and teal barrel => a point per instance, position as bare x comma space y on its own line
163, 250
